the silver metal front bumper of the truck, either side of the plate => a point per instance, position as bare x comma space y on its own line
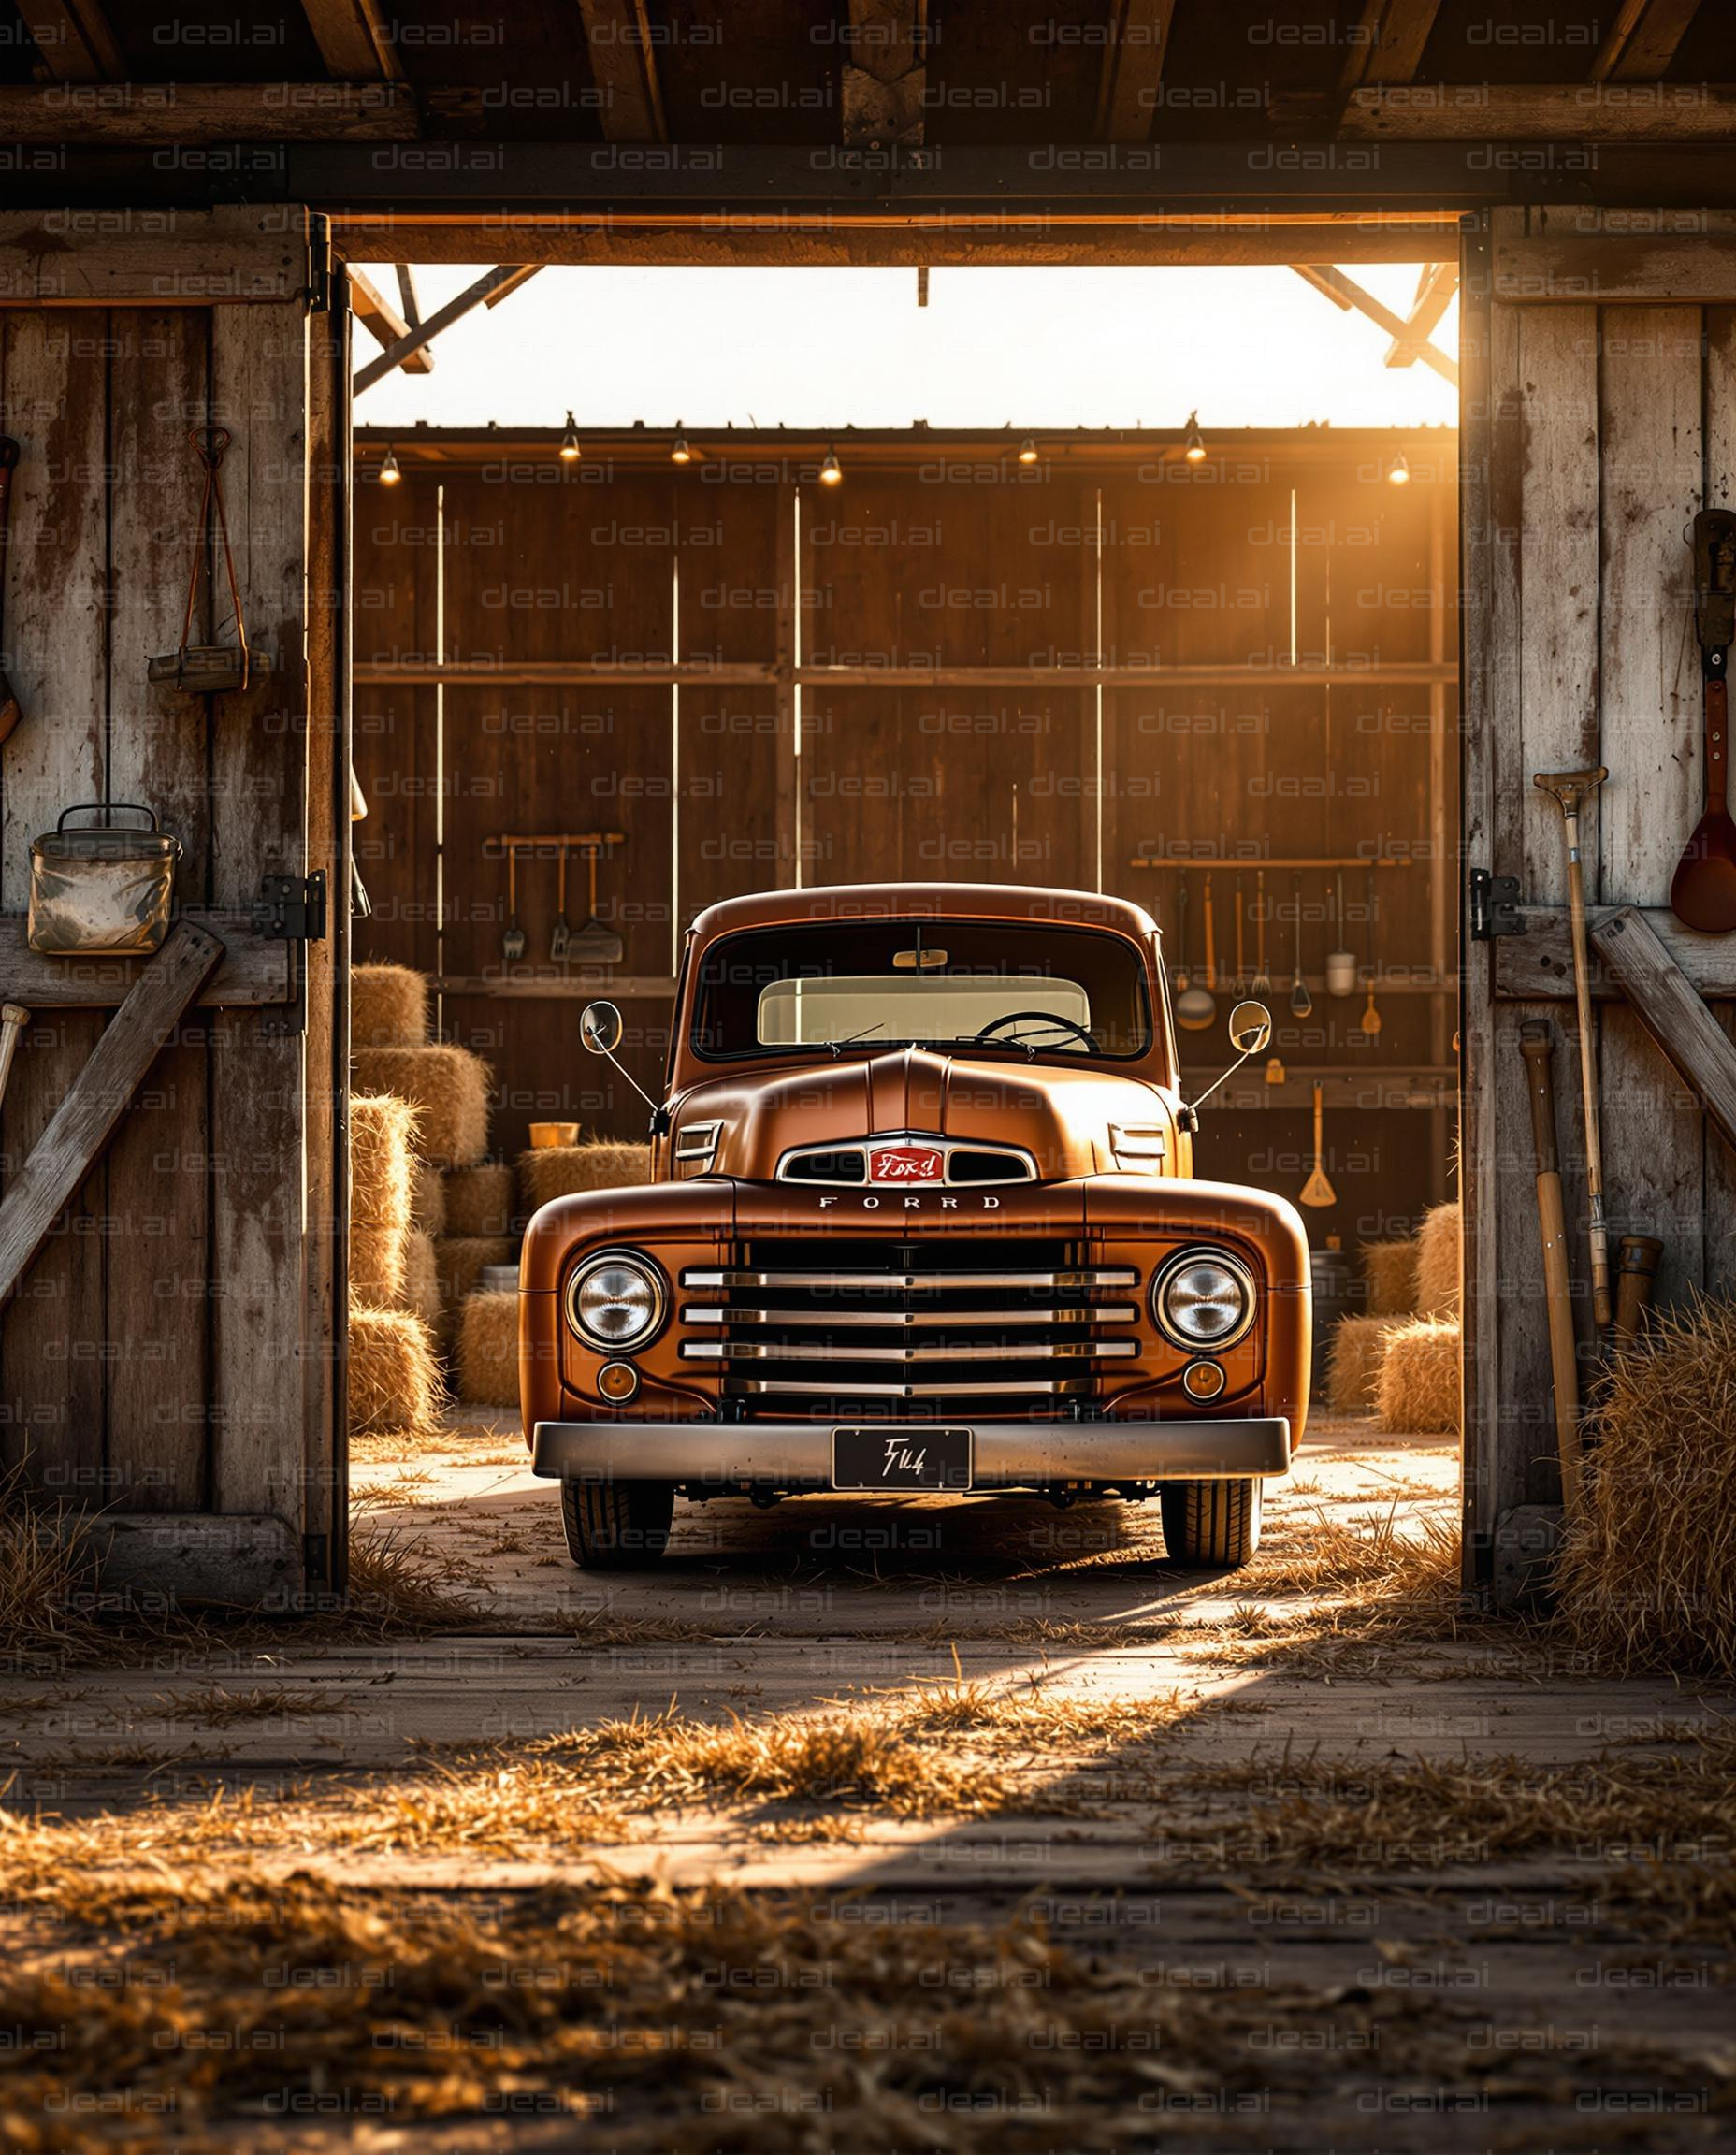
1009, 1456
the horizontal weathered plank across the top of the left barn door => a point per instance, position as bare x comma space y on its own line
154, 258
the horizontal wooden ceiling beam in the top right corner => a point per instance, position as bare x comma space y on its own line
1672, 113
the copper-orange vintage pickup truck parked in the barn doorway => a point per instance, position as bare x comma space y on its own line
923, 1219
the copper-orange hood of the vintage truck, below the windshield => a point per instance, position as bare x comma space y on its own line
1059, 1115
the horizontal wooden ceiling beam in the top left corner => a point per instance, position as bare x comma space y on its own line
163, 115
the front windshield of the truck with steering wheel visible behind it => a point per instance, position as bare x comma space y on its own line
888, 984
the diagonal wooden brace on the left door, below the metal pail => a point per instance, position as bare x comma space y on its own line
98, 1098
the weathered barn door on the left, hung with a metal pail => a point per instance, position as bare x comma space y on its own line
176, 1350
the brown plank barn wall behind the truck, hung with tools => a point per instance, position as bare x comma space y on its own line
929, 557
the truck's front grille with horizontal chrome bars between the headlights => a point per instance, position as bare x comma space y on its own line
899, 1331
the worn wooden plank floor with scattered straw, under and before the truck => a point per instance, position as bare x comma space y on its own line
1158, 1682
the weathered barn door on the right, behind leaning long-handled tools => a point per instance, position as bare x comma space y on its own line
1599, 419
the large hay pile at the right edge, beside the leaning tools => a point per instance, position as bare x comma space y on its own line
1647, 1576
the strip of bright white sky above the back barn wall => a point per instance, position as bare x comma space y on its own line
830, 348
